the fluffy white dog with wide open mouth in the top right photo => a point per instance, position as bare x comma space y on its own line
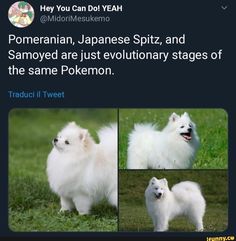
174, 147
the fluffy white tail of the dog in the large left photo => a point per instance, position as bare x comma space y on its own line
108, 140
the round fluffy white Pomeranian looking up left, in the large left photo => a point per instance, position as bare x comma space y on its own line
82, 172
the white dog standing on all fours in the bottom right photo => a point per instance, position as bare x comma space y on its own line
184, 198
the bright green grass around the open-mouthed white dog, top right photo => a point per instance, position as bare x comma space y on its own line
212, 128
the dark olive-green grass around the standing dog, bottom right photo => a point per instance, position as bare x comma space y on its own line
132, 210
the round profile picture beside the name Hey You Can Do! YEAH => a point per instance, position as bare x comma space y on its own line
21, 14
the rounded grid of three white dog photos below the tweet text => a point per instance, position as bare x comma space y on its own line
118, 170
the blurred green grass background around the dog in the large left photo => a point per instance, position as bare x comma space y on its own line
32, 205
